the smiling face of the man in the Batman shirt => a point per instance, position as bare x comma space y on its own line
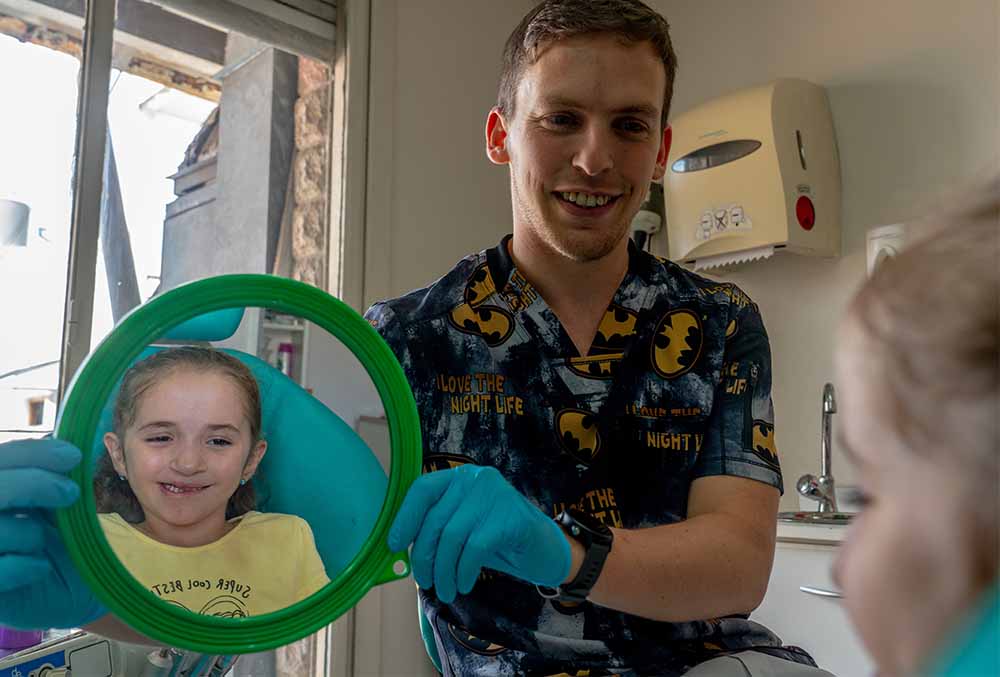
583, 144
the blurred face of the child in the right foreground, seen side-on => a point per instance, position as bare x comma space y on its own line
905, 567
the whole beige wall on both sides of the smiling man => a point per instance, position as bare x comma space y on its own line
913, 85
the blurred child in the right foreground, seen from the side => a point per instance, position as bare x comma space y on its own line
918, 367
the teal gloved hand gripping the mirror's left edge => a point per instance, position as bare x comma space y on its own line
39, 587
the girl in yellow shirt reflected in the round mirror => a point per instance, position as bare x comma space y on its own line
176, 496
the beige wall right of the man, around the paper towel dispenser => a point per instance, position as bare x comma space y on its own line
914, 88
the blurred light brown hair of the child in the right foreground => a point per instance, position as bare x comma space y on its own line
931, 318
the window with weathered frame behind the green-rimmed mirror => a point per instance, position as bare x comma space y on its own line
134, 178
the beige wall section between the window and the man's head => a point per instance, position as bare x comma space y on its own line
433, 197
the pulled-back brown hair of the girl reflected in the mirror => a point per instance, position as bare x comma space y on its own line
113, 494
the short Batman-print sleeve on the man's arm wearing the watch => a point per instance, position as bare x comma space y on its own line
739, 440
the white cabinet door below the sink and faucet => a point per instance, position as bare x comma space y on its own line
817, 624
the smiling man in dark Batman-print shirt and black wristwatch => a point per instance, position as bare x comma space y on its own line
601, 480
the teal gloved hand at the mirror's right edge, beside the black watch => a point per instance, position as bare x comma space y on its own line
466, 518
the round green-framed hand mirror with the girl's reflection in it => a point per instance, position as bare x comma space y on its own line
225, 508
